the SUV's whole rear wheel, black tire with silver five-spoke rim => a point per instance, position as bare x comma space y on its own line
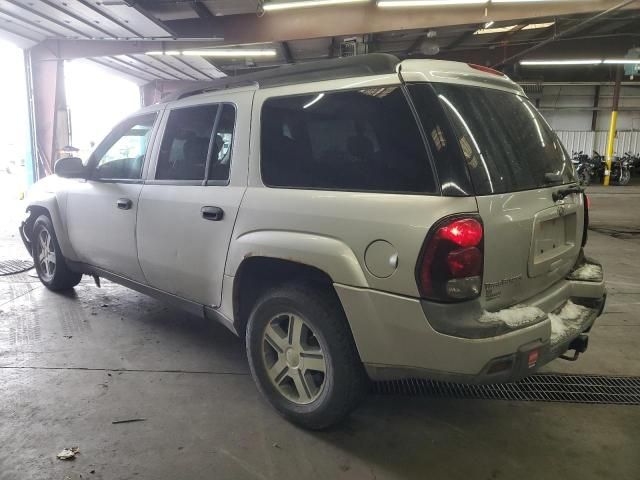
323, 331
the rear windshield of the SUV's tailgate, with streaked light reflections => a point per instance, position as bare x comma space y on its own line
504, 141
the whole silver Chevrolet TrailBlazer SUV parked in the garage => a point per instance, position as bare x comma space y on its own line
353, 219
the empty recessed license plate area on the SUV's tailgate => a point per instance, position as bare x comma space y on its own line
554, 242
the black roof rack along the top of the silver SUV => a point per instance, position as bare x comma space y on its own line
371, 64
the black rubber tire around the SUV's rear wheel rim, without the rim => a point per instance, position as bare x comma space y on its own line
345, 380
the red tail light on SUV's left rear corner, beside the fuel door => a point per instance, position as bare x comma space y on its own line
451, 263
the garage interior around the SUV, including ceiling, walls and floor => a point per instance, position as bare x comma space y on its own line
76, 369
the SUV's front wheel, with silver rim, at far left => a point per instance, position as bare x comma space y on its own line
50, 264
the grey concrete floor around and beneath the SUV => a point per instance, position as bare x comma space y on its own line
70, 365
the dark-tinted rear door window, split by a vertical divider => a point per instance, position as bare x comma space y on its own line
188, 139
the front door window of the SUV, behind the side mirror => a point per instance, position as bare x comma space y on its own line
121, 156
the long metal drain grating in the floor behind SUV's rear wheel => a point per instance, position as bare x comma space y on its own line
544, 387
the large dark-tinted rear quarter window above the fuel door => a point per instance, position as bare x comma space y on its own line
365, 140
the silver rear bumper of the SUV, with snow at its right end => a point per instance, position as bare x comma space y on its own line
396, 340
